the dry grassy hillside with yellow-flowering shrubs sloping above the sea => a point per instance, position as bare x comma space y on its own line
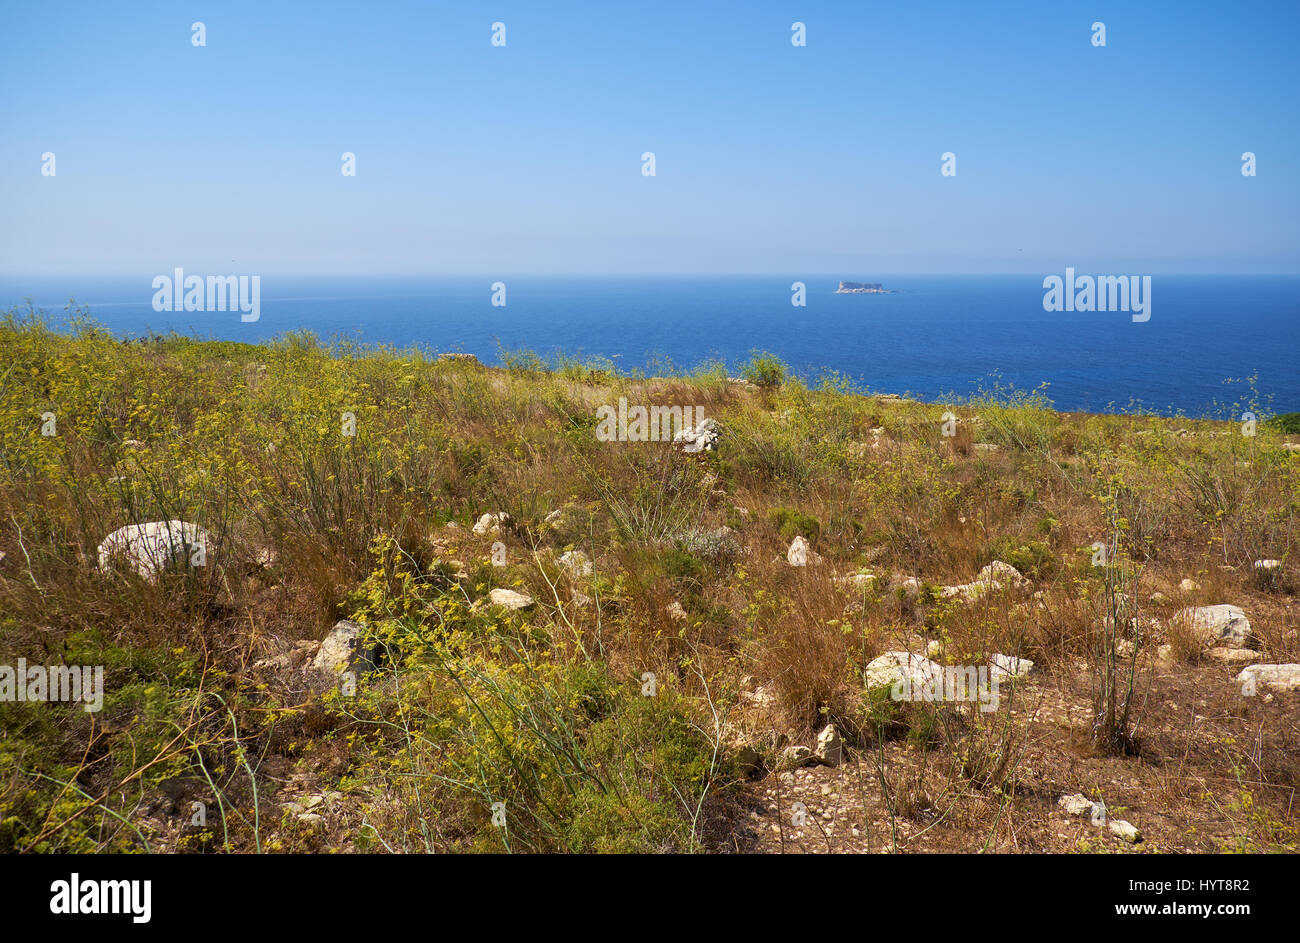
649, 704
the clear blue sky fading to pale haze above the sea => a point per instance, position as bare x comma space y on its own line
770, 159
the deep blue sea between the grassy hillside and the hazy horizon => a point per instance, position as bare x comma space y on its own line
1208, 336
